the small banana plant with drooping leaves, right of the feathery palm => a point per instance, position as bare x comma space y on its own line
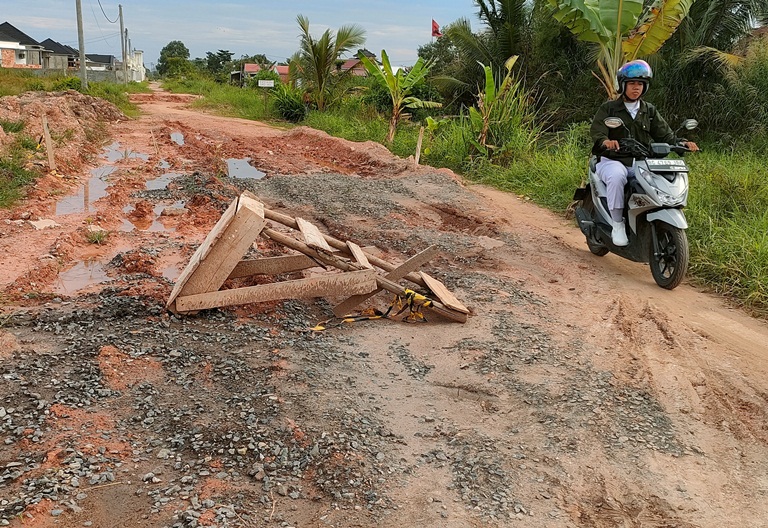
400, 85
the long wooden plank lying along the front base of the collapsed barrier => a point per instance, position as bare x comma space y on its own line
328, 285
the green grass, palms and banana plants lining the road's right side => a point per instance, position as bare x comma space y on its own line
509, 105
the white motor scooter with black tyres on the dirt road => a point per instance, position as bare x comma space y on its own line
653, 210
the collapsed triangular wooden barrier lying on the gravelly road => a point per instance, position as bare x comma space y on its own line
220, 257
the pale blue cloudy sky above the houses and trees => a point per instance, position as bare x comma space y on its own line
241, 27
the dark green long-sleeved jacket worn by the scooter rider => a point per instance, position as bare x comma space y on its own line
647, 127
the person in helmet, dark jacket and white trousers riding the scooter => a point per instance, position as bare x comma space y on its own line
644, 124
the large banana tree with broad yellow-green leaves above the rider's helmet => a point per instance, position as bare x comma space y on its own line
622, 29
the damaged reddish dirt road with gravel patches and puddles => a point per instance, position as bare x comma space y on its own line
578, 394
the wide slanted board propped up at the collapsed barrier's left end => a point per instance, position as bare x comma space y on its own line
222, 249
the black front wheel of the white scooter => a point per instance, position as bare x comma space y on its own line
669, 260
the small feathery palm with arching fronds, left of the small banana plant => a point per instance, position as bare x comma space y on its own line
315, 64
